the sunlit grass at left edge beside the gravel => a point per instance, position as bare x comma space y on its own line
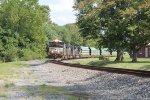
7, 71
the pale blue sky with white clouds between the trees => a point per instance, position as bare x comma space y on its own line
61, 11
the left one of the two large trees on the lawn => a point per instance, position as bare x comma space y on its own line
101, 21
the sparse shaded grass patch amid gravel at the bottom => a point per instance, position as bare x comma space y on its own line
42, 90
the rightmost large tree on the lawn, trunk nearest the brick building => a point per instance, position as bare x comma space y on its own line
136, 16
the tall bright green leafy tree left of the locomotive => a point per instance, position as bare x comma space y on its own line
22, 23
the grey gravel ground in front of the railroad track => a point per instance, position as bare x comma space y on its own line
88, 84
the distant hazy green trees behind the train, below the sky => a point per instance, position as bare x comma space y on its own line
68, 33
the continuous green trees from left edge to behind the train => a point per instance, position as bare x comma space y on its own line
25, 28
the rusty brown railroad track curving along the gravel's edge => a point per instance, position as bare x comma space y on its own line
139, 73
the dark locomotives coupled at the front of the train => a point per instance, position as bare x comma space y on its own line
58, 49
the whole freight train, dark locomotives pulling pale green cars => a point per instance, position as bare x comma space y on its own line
58, 49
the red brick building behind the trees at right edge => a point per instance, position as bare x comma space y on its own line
144, 52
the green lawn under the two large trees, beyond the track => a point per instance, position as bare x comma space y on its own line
142, 64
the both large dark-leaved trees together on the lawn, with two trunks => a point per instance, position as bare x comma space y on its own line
119, 25
